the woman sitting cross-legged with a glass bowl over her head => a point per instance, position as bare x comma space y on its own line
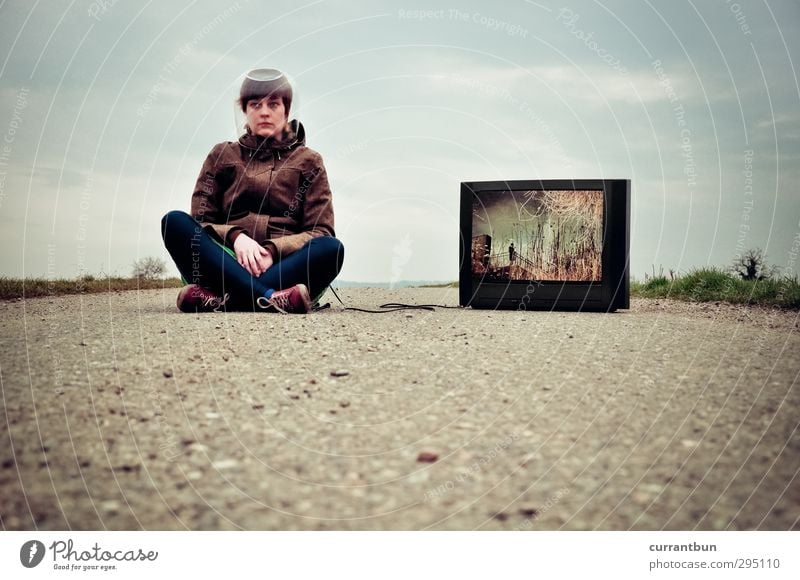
265, 200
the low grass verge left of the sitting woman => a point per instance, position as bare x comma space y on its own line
12, 288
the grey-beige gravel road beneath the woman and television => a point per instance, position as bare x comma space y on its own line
122, 413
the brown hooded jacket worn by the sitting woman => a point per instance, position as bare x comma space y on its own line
275, 191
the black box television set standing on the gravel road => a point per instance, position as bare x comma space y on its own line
545, 244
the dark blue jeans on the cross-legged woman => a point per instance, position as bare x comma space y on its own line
201, 260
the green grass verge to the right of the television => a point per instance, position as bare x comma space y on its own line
714, 284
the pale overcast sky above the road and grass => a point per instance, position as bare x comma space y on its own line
109, 109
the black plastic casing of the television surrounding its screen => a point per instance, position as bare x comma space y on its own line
611, 293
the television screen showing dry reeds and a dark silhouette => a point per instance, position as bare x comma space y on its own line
547, 235
